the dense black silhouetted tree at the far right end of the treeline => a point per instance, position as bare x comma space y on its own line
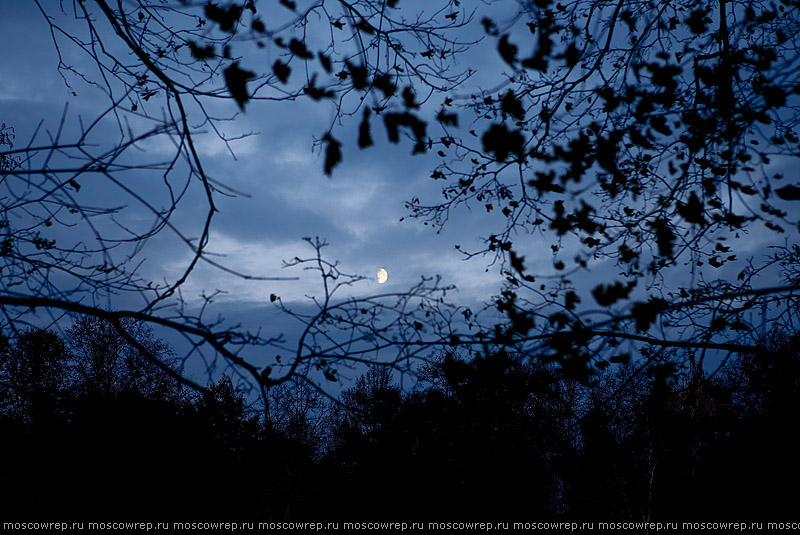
754, 458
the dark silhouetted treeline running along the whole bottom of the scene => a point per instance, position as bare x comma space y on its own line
90, 426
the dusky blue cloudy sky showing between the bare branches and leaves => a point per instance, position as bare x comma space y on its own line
283, 194
